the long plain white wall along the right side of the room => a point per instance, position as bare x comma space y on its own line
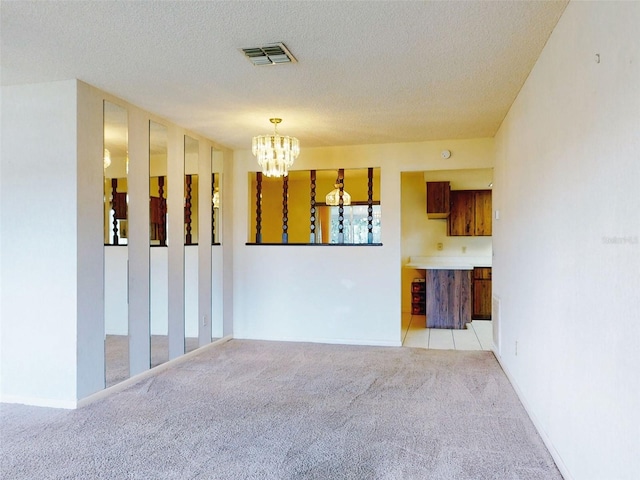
567, 248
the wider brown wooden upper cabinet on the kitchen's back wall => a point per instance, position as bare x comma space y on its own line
470, 213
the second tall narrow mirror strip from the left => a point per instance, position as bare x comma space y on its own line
159, 259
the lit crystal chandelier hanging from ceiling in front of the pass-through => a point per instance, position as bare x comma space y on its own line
275, 153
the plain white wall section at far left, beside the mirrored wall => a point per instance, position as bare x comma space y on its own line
38, 218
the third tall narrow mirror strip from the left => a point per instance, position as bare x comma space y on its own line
191, 158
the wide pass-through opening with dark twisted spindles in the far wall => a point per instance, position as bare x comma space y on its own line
306, 206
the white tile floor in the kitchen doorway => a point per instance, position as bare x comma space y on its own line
477, 336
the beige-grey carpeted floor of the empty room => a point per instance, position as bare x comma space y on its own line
272, 410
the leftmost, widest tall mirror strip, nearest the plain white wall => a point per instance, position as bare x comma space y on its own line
116, 314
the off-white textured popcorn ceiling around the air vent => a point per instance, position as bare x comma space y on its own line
367, 72
